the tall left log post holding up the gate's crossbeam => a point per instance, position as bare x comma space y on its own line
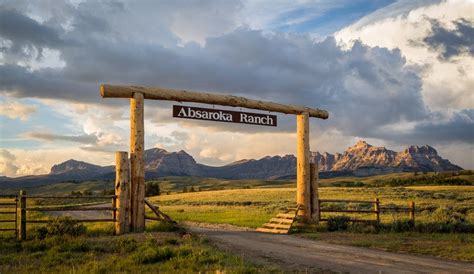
137, 161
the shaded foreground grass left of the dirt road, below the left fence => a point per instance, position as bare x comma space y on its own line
166, 252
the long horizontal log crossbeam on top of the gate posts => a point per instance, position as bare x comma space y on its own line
157, 93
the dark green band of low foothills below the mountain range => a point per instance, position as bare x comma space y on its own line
176, 184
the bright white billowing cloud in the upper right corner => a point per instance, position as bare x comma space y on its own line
446, 85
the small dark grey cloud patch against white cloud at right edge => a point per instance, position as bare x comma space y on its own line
451, 42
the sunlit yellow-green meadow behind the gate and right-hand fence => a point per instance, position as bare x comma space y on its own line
253, 207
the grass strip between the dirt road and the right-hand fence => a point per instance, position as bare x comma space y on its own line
448, 246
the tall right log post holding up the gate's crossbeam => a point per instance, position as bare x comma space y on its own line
302, 166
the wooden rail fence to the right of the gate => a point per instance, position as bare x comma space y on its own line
376, 209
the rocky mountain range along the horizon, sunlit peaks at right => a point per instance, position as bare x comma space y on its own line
361, 159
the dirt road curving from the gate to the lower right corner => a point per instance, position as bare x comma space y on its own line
294, 253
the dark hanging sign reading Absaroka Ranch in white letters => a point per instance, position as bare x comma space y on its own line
220, 115
